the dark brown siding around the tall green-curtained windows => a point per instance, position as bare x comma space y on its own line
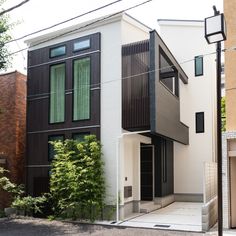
38, 99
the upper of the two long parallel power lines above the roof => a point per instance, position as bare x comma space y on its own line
63, 22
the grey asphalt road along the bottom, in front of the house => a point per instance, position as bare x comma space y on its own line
41, 227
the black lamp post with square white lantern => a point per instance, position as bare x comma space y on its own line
215, 32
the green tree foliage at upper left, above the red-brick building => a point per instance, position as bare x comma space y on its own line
5, 26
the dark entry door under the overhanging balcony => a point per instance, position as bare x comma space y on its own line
146, 173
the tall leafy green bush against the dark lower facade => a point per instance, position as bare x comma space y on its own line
77, 183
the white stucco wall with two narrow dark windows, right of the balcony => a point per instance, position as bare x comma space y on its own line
186, 40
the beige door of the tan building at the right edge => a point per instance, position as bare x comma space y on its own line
232, 164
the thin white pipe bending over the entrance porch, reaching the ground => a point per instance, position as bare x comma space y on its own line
118, 168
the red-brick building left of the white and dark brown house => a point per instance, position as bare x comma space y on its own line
13, 127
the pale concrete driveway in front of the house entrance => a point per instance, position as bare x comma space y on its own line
184, 216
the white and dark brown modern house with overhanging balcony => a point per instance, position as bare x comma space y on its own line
116, 78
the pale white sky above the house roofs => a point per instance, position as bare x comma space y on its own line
38, 14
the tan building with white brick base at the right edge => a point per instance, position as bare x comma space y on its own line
229, 137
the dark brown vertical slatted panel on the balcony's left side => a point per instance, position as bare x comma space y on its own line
135, 86
